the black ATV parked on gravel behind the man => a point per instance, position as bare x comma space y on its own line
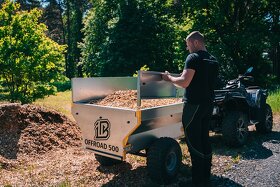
238, 105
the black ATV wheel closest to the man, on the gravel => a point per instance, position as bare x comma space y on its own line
235, 128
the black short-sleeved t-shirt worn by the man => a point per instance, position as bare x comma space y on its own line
201, 88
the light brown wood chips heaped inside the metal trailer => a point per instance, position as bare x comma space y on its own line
128, 99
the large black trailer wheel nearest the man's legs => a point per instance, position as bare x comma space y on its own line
164, 160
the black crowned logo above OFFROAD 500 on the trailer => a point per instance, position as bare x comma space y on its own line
102, 129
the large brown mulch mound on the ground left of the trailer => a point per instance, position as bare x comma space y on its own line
28, 130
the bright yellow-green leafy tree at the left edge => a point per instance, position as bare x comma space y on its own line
29, 60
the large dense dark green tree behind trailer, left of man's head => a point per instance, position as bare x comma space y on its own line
122, 36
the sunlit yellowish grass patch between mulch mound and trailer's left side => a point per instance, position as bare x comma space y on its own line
60, 102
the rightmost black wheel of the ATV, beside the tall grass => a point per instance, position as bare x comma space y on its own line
266, 120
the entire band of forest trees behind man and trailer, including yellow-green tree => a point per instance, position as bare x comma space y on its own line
45, 43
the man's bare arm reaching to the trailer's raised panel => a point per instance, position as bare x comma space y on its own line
183, 81
